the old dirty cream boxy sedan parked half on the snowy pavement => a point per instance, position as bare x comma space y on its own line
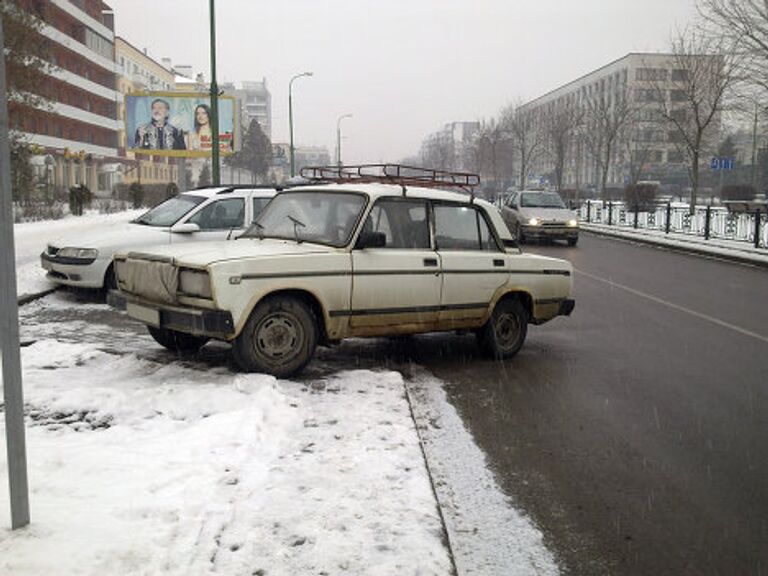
329, 262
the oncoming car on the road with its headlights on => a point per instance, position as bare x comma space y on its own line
540, 215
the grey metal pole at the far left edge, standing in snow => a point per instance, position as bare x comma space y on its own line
10, 357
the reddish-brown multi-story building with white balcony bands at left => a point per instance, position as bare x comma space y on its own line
76, 135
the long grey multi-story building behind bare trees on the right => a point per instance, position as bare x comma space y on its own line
638, 86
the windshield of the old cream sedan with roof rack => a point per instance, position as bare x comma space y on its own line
321, 217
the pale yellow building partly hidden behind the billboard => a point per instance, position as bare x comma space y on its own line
138, 72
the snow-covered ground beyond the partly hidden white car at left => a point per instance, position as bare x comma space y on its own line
30, 240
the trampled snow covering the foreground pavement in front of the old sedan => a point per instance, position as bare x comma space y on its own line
141, 466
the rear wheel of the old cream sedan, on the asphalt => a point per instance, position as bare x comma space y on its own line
504, 333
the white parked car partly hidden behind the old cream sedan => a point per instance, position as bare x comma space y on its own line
212, 213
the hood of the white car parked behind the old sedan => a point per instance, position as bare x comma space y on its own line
114, 236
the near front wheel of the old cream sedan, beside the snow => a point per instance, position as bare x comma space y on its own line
279, 337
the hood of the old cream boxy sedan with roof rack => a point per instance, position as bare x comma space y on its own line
205, 253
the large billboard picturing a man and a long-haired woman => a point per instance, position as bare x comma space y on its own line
177, 124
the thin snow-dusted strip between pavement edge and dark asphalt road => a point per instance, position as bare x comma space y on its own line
487, 534
